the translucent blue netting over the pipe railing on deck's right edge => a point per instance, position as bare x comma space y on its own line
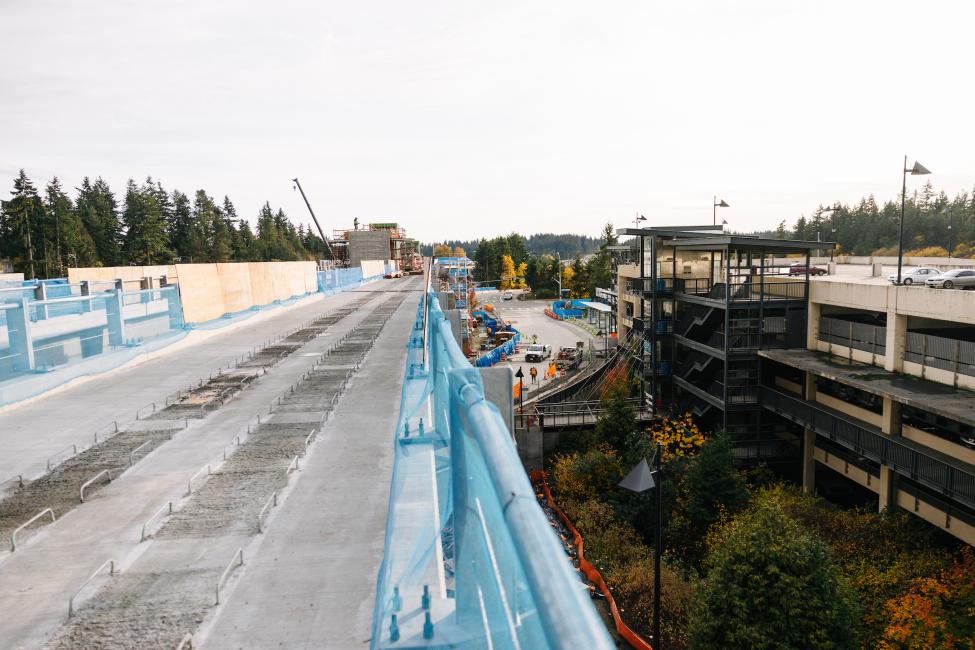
470, 559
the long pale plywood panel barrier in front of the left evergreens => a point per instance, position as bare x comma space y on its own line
209, 291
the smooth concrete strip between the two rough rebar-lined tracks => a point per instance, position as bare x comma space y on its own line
61, 556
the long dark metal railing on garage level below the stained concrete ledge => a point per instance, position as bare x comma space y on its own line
905, 458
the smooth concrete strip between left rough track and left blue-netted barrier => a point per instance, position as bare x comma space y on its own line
33, 431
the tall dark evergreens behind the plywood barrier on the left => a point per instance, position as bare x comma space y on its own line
42, 234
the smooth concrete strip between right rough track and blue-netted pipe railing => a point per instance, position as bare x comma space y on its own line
311, 582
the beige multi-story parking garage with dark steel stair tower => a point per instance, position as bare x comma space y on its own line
842, 379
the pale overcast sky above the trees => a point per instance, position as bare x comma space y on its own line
464, 119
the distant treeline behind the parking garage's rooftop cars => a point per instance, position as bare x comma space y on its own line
869, 229
